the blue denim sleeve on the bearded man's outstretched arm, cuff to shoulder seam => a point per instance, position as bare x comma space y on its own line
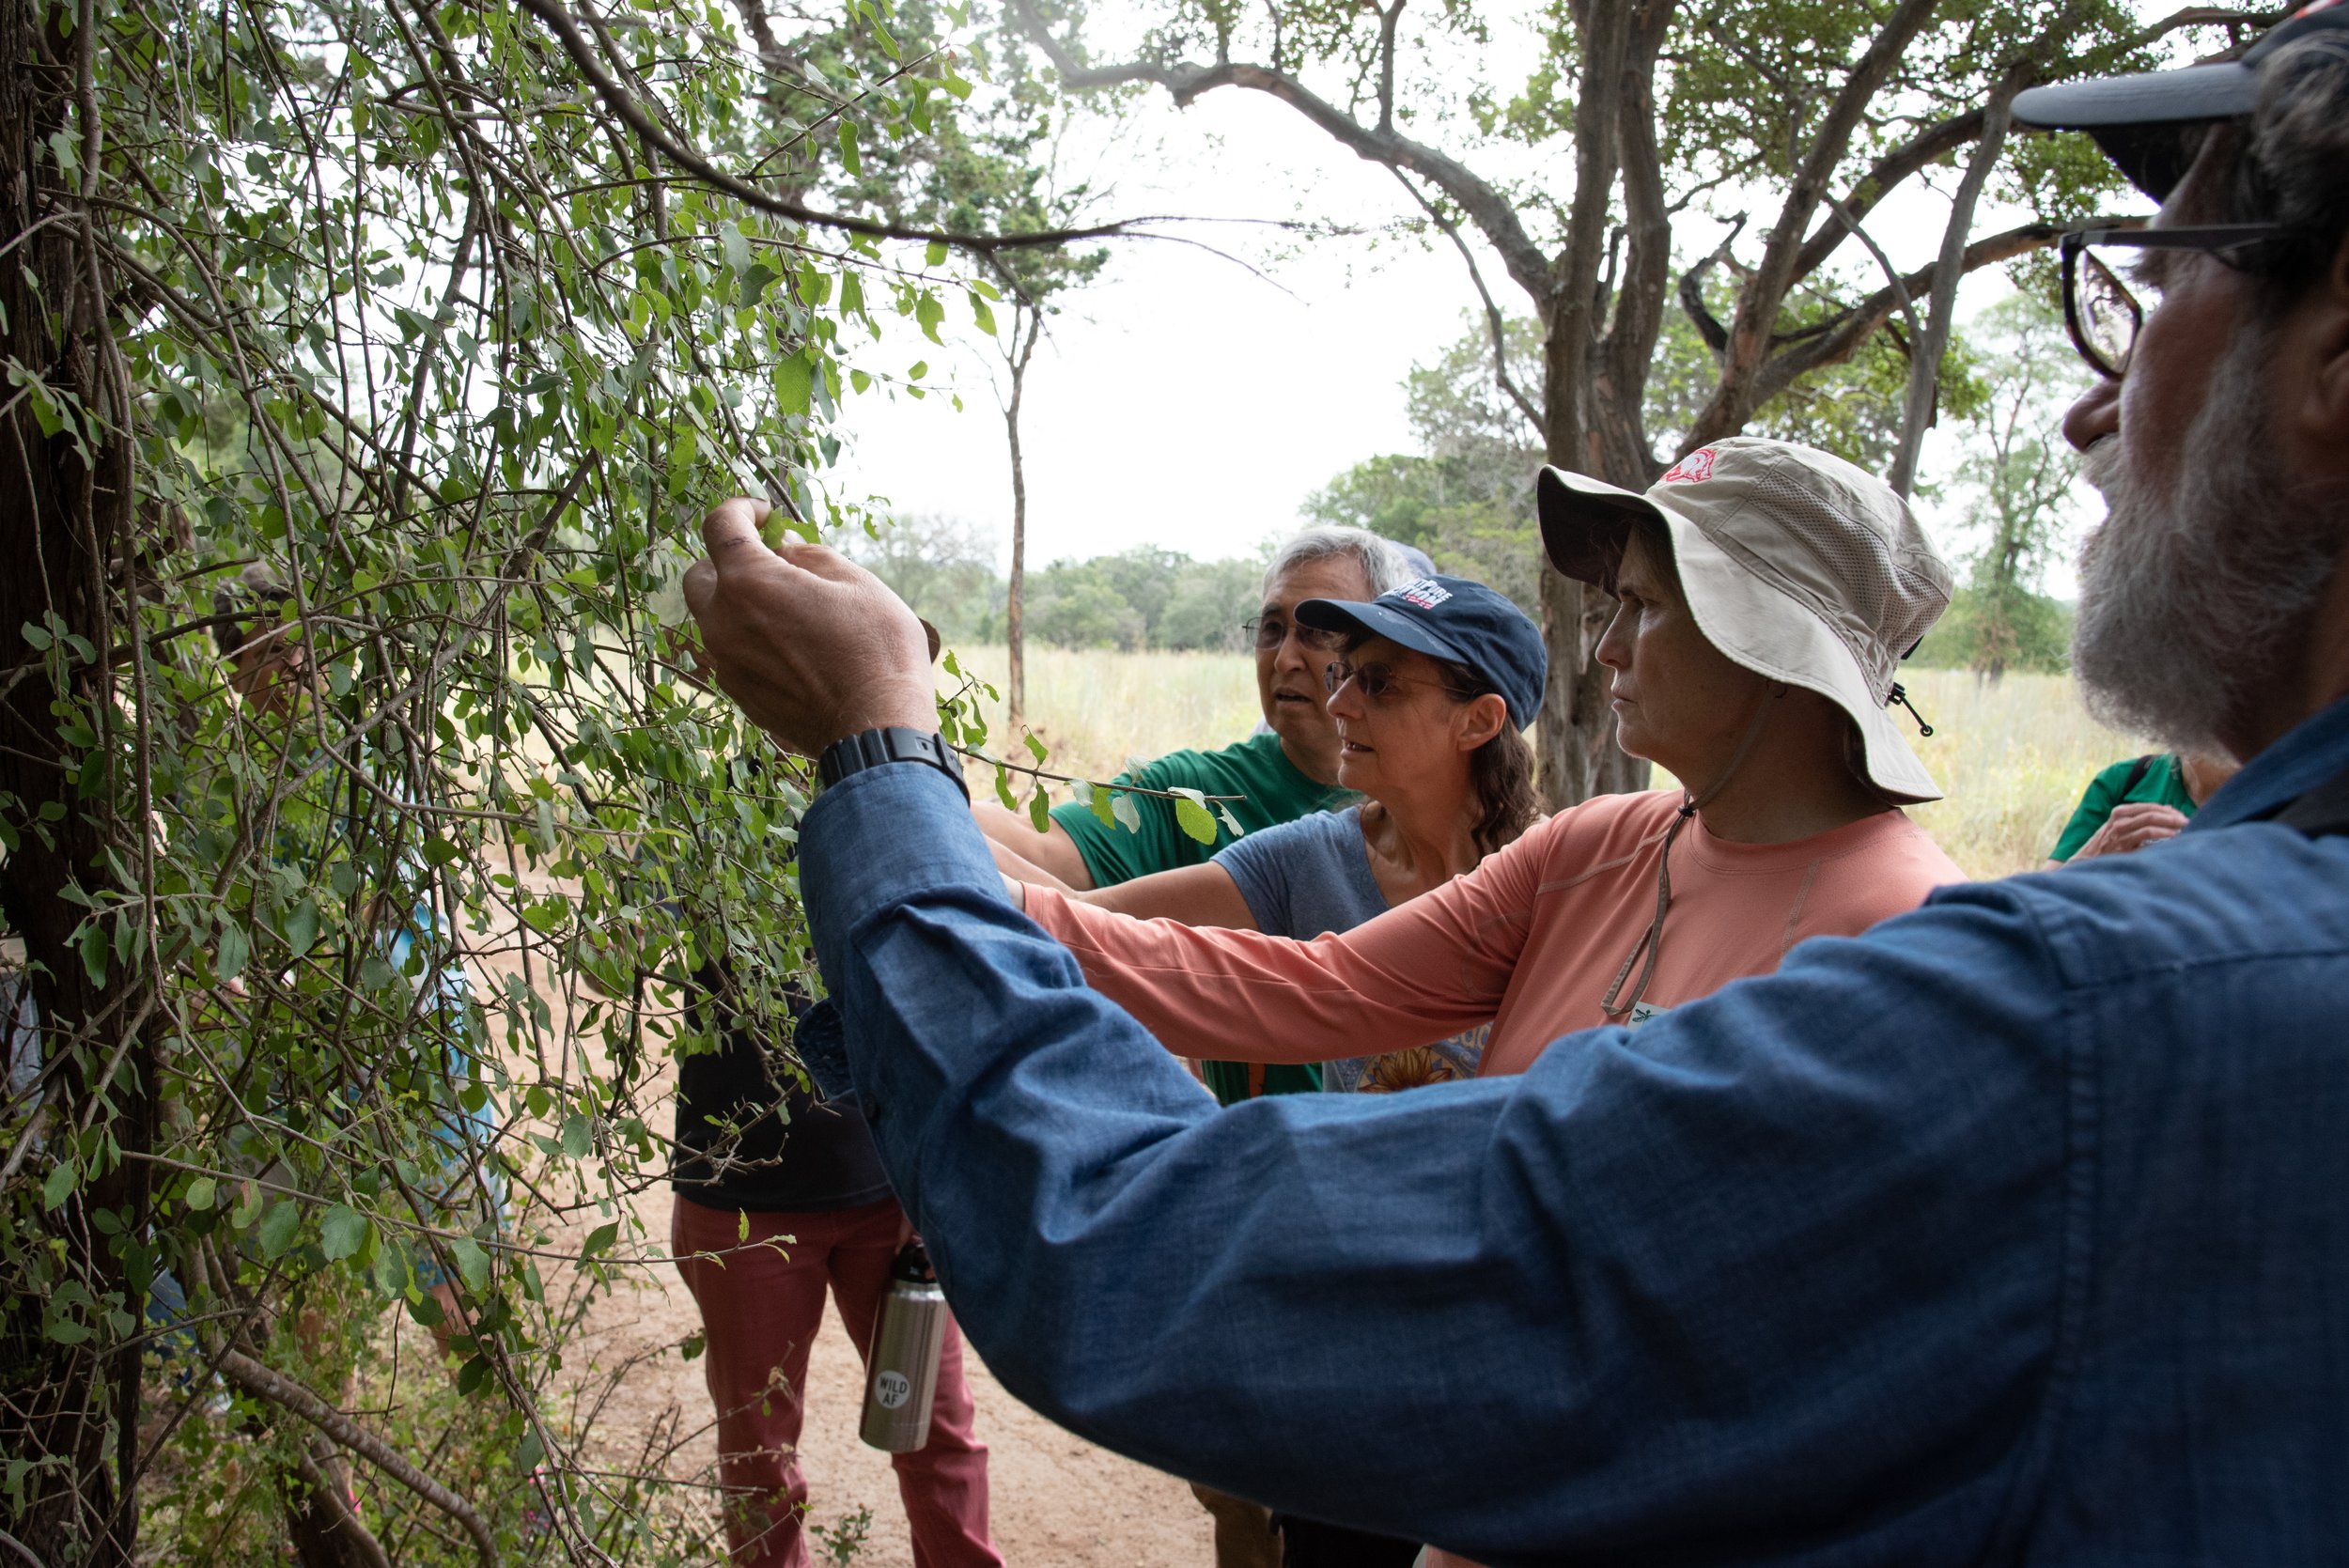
1782, 1266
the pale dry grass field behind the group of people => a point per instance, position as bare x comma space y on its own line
2012, 757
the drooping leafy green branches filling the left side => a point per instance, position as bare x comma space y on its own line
429, 374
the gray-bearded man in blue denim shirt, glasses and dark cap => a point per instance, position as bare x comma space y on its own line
2012, 1231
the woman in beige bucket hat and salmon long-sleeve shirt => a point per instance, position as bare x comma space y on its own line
1765, 597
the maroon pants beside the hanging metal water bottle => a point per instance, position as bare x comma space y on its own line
762, 1309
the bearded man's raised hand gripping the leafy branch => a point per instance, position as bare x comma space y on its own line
812, 644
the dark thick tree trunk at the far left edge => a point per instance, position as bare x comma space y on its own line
65, 513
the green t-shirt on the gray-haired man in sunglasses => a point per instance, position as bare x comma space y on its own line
1272, 792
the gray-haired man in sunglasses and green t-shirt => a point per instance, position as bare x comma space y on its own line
1284, 773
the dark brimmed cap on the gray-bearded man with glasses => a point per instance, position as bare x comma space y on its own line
2151, 126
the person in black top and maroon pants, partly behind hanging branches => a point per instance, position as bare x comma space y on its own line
821, 1219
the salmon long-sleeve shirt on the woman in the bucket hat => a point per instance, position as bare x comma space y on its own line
1530, 940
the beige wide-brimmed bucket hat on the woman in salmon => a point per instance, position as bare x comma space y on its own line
1796, 565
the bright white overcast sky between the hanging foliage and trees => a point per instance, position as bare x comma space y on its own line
1190, 403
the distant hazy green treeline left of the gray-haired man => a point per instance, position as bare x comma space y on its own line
1126, 602
